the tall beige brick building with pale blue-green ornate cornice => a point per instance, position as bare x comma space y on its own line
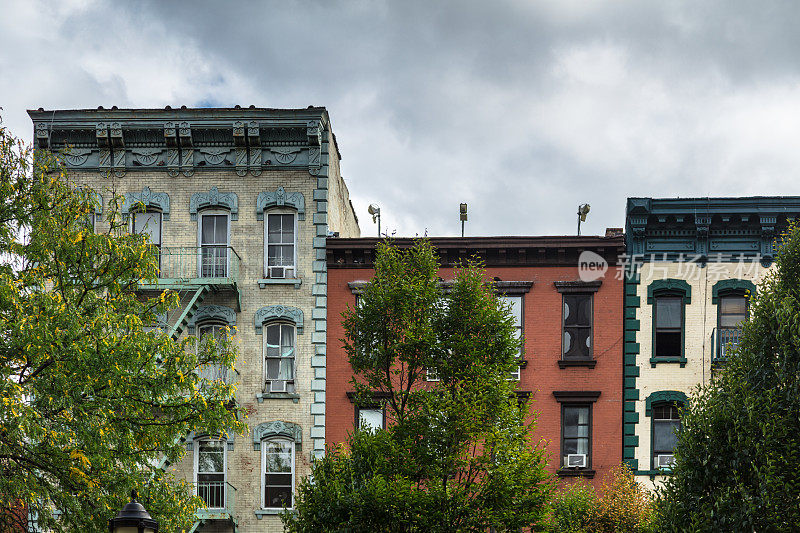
241, 202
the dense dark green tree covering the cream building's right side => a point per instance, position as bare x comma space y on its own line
739, 447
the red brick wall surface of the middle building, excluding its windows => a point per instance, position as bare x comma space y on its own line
542, 261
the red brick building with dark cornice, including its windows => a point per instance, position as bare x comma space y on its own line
572, 361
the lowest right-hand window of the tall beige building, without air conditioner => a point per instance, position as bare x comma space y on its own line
277, 458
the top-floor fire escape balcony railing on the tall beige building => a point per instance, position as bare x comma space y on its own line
216, 265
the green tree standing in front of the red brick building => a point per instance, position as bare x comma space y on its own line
457, 454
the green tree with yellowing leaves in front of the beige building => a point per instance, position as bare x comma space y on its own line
90, 400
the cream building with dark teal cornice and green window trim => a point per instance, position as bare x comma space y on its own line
695, 252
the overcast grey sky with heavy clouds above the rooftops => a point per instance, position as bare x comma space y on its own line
521, 109
